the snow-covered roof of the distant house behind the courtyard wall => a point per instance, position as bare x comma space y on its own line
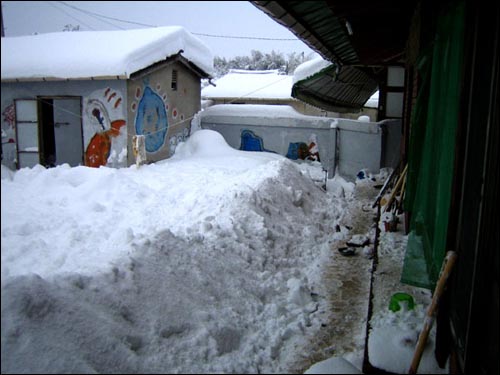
251, 84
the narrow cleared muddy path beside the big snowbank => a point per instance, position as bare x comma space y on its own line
348, 285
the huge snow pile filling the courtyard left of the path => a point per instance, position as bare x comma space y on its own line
207, 262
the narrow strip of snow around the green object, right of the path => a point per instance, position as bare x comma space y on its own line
393, 335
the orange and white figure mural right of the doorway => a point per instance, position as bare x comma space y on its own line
104, 118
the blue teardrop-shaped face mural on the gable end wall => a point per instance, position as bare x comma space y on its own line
151, 120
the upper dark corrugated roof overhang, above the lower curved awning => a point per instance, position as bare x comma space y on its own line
349, 32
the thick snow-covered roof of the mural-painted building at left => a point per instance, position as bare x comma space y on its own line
98, 54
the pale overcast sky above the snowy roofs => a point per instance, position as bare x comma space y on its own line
221, 19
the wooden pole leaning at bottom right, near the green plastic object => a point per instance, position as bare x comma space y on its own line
448, 263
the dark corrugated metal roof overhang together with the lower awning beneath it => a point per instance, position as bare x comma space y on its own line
355, 35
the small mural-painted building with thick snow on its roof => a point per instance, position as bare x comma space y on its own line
81, 97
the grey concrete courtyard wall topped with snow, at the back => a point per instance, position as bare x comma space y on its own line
348, 145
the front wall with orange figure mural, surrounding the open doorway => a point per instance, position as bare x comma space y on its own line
101, 116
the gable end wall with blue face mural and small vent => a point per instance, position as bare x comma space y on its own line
161, 105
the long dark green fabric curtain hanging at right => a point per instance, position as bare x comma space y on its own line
432, 149
